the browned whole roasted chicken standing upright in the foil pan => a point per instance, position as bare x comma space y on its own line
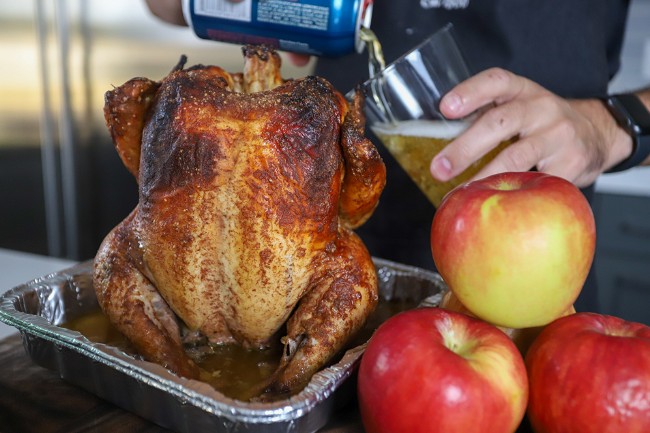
249, 188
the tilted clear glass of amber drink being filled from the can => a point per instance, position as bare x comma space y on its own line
402, 107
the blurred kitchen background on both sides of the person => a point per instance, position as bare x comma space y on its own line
63, 187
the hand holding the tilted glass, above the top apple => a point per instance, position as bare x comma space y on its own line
573, 139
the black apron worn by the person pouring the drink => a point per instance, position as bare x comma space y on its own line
571, 47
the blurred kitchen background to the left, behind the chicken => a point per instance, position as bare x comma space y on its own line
63, 187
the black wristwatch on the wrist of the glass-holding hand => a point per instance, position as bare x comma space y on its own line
634, 118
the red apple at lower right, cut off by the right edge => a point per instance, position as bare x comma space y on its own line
590, 373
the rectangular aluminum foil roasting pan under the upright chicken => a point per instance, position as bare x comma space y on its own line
38, 308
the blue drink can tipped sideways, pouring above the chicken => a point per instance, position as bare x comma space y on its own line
317, 27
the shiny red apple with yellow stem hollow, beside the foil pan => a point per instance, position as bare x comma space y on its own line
433, 370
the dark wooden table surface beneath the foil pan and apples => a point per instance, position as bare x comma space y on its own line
35, 399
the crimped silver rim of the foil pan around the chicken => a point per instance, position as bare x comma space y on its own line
201, 395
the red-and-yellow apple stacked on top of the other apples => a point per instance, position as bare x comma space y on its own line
515, 248
